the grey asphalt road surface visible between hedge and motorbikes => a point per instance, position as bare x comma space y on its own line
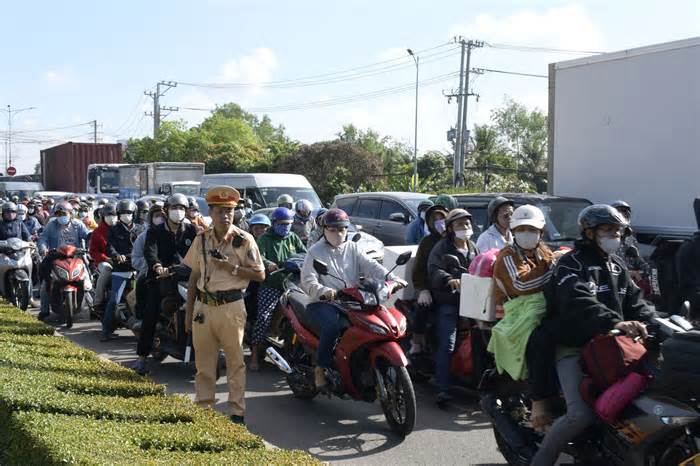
337, 431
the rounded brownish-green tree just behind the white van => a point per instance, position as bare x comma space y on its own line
333, 167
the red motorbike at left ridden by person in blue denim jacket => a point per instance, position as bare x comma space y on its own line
68, 275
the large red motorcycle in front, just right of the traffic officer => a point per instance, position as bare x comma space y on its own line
368, 361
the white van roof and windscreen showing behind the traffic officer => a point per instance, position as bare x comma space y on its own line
264, 188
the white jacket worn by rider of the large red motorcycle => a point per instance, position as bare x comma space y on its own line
346, 261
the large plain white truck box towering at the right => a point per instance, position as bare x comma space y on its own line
626, 125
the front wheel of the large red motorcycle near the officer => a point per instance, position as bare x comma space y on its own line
400, 404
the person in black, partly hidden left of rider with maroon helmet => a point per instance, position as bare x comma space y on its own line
435, 220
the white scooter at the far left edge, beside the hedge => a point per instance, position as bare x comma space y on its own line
16, 266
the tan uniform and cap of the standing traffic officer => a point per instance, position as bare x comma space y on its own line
220, 303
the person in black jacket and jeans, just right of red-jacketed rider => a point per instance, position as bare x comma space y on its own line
120, 242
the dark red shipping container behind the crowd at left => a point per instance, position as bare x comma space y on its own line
64, 167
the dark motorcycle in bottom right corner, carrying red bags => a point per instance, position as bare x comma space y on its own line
657, 428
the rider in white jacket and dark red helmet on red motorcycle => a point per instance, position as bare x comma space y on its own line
346, 261
